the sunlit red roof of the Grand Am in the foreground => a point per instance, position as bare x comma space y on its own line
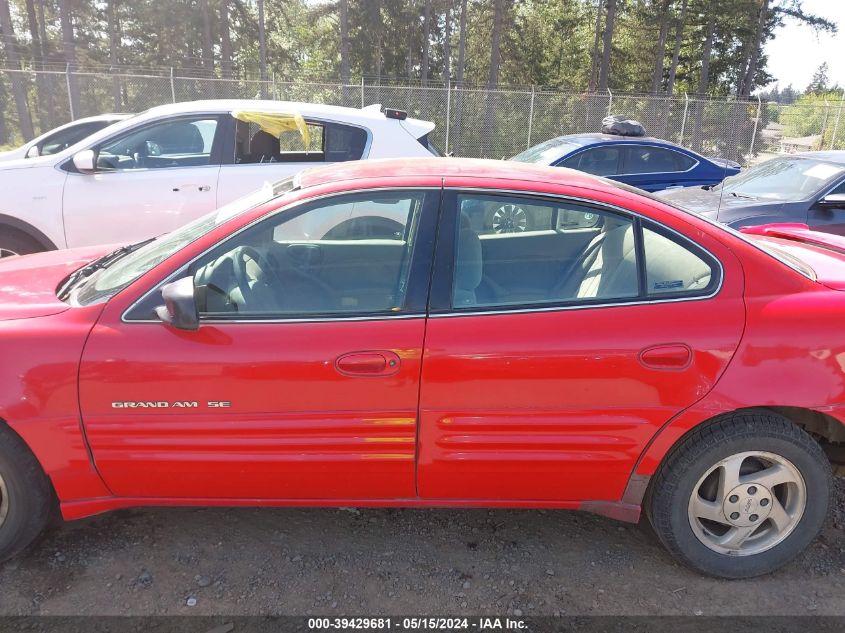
436, 167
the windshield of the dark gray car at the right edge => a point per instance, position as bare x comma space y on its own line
783, 178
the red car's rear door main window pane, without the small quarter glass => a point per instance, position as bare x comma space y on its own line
546, 266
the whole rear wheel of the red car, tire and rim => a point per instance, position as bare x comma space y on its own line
741, 496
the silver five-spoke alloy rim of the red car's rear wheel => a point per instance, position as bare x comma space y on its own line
747, 503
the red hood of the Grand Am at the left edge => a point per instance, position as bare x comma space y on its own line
28, 283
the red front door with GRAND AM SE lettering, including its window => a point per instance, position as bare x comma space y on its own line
302, 380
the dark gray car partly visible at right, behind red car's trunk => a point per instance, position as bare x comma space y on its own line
808, 188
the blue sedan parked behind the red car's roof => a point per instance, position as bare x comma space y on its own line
648, 163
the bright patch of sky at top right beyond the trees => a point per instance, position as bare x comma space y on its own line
797, 51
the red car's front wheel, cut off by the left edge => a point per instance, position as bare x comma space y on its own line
25, 496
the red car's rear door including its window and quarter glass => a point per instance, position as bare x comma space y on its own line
553, 396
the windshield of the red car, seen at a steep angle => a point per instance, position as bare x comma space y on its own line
109, 281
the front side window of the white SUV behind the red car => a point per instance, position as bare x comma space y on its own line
185, 142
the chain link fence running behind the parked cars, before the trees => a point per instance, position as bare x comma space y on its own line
470, 121
